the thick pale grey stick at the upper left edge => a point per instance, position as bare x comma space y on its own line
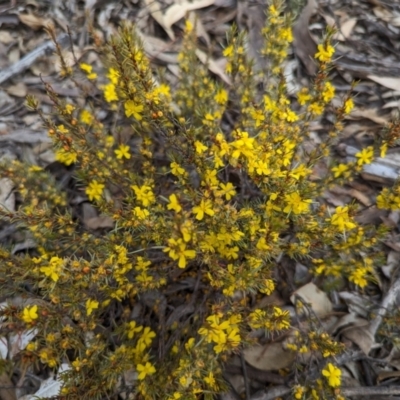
26, 61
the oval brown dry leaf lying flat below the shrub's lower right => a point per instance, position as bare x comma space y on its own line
269, 357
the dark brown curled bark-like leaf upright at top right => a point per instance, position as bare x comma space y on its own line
304, 45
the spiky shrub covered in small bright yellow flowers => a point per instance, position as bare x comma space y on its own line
202, 206
